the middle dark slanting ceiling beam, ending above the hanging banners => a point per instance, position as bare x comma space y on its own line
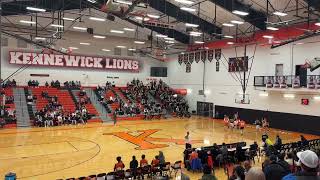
174, 11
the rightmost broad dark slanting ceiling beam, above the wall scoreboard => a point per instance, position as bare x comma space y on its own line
255, 17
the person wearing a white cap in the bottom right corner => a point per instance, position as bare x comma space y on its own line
309, 163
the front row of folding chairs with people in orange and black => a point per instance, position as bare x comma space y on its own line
142, 169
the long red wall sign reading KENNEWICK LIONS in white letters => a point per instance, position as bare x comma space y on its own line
73, 61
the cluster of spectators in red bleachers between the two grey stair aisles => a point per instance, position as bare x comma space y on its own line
53, 115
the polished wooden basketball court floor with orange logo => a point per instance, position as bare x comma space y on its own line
74, 151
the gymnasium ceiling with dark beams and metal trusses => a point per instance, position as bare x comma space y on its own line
210, 15
